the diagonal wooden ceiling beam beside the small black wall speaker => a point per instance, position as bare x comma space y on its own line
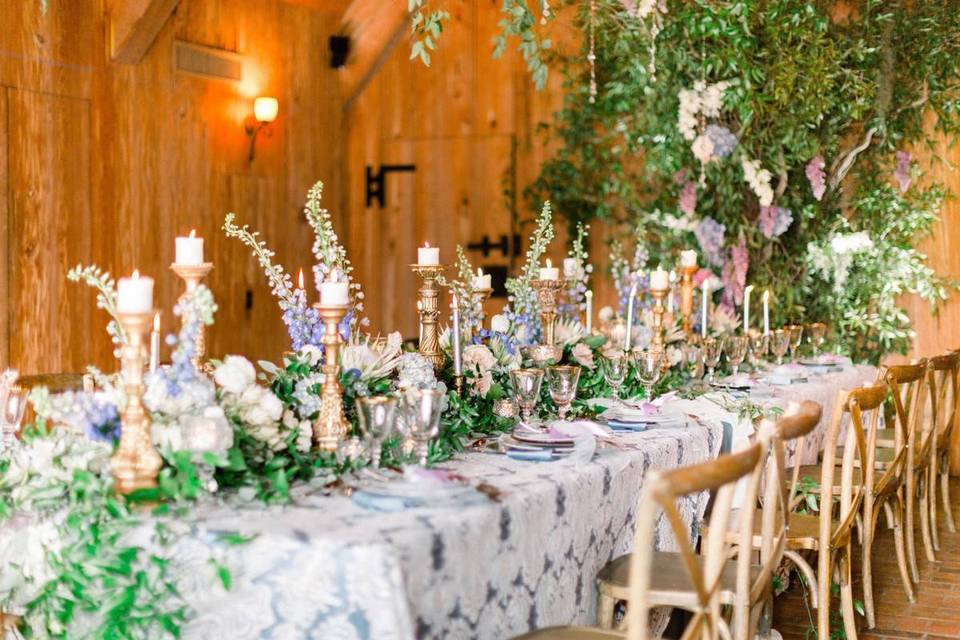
374, 27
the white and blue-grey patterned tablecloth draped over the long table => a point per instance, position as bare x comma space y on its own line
328, 568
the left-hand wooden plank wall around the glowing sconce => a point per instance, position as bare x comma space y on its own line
107, 163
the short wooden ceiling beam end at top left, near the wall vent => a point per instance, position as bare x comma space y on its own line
134, 25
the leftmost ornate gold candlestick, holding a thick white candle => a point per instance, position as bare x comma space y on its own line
136, 462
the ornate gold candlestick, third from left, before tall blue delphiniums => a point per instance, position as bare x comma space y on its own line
331, 425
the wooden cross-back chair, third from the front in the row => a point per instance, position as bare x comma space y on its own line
829, 531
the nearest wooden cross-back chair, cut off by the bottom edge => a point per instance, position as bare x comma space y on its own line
661, 491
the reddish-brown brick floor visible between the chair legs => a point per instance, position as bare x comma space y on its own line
934, 616
